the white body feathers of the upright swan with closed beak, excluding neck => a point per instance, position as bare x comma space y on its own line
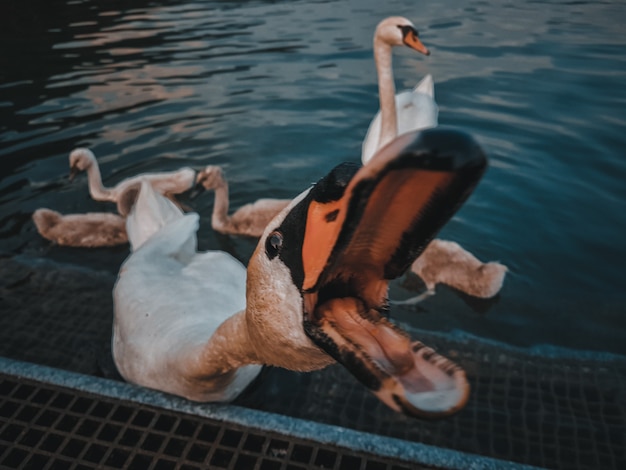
415, 110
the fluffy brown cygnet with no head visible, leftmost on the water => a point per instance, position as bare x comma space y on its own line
93, 229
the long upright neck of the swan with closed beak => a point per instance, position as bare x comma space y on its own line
386, 92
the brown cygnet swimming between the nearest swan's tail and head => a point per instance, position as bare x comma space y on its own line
250, 219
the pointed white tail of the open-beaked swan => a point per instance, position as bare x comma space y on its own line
148, 212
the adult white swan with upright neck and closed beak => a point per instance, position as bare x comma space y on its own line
406, 111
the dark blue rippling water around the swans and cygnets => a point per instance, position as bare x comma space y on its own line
279, 92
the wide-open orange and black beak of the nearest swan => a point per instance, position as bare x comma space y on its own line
369, 230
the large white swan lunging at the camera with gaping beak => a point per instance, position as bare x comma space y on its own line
199, 325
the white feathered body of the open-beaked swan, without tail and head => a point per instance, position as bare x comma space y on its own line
169, 302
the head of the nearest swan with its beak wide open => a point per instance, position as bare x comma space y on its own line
318, 279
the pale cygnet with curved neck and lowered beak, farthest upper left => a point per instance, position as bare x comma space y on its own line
167, 183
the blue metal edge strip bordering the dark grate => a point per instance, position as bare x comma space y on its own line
323, 433
